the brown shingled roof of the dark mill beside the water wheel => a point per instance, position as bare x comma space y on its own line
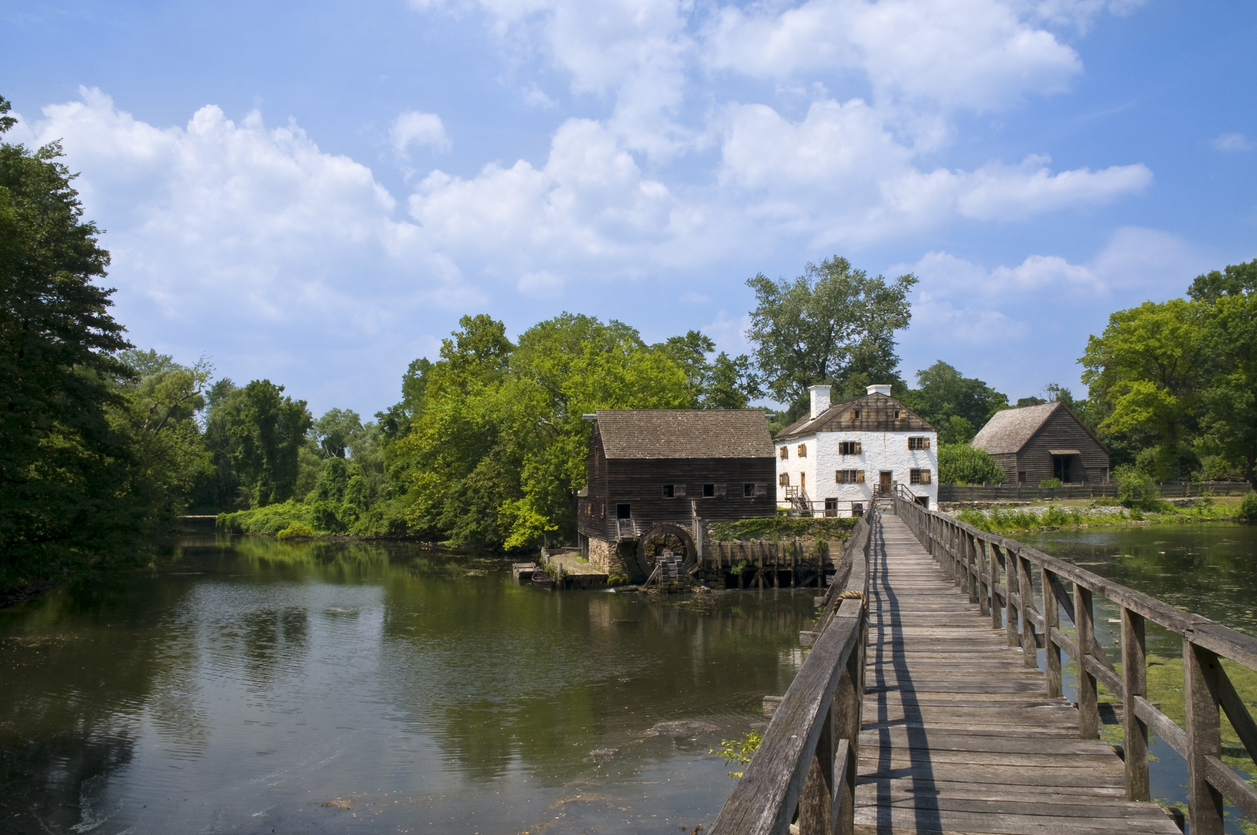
684, 433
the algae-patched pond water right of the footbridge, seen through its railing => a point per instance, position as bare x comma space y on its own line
1209, 569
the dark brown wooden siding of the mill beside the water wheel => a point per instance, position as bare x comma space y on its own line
640, 484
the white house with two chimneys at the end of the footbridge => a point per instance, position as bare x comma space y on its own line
833, 460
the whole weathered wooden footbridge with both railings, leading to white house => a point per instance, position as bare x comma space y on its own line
923, 706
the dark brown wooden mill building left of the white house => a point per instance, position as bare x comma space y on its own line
653, 472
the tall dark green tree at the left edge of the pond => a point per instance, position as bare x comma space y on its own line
67, 487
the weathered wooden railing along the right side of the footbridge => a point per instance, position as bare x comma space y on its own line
999, 577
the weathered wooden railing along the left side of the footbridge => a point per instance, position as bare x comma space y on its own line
805, 766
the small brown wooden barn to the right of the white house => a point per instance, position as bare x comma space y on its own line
1039, 443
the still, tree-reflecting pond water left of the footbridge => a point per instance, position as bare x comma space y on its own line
250, 686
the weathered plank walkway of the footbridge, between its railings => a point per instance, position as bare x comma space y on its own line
960, 736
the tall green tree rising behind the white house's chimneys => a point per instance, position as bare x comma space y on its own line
829, 325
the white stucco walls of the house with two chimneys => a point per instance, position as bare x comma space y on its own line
878, 452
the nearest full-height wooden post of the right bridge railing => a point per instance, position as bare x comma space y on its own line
1204, 738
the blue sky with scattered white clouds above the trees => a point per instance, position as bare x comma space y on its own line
316, 193
